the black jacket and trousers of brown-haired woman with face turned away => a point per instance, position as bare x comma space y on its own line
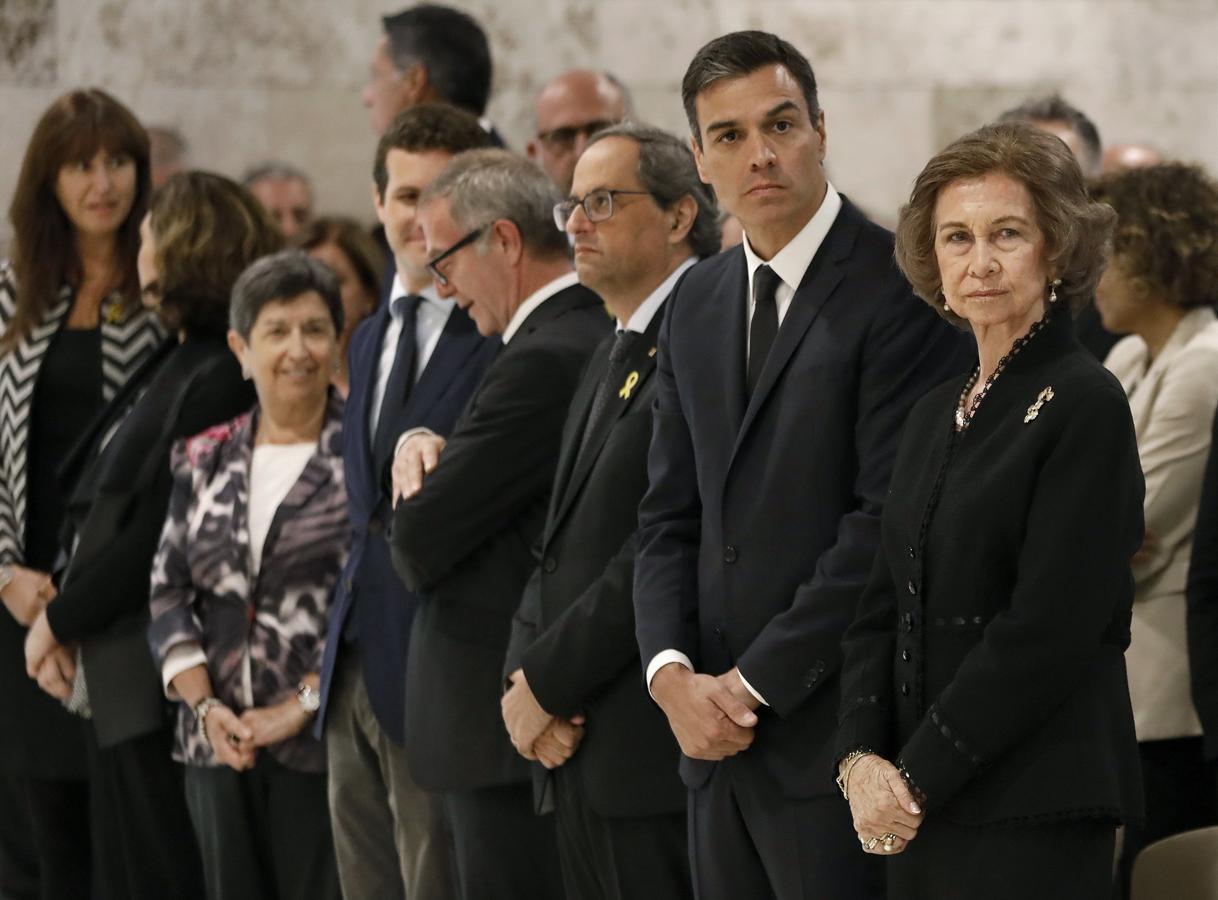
116, 512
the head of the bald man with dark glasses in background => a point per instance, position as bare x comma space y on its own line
571, 110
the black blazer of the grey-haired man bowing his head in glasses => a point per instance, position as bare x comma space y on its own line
466, 541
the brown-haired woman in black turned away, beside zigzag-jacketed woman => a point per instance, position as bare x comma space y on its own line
200, 233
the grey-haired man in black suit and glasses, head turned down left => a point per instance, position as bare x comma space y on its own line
474, 506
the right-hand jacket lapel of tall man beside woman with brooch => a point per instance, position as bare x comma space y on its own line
822, 279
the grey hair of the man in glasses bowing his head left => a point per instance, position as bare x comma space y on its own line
487, 186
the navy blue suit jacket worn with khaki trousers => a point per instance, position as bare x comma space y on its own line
370, 589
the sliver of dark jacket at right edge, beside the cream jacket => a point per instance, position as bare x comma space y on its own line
1203, 602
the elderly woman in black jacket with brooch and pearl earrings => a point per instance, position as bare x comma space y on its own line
986, 735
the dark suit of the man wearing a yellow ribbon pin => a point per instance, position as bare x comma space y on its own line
574, 638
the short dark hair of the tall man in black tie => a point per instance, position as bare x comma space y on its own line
740, 54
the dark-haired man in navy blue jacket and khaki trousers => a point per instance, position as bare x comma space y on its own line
415, 362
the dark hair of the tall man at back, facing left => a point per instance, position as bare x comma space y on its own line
451, 47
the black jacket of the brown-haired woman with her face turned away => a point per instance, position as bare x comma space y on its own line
116, 512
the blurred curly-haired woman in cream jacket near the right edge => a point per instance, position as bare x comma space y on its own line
1160, 289
